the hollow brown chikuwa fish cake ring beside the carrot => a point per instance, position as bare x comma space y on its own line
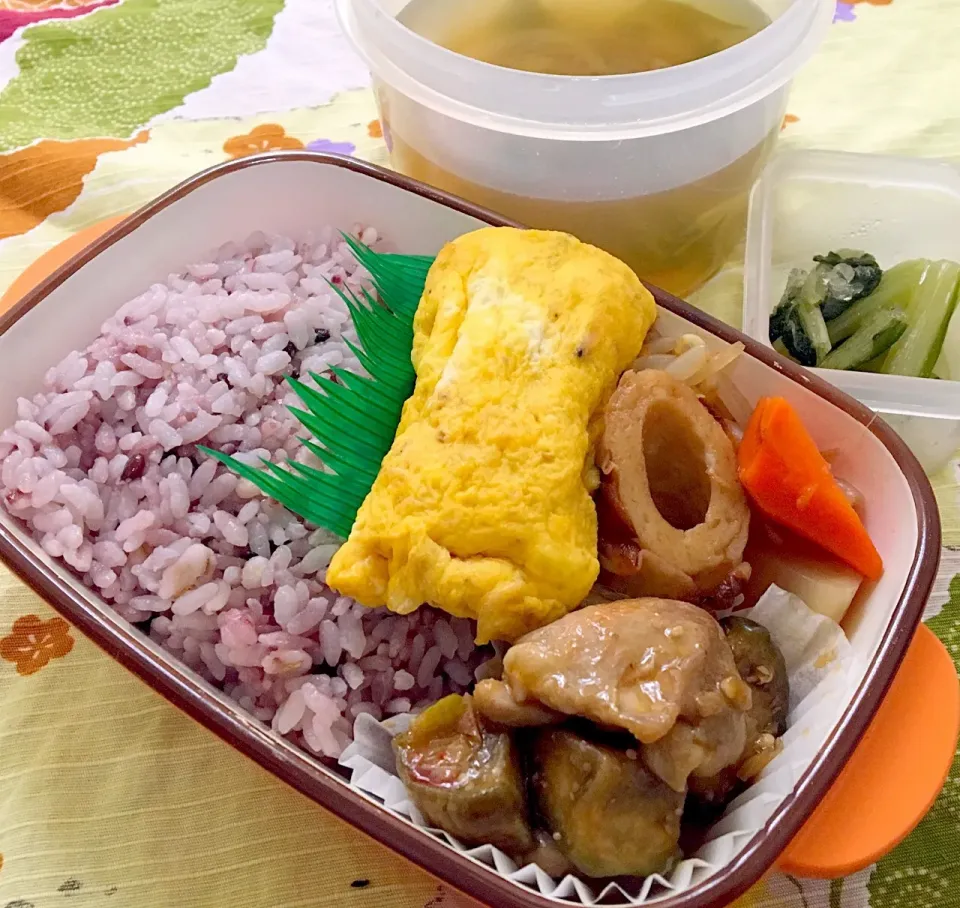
673, 516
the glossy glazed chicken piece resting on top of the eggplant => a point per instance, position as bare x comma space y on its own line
660, 669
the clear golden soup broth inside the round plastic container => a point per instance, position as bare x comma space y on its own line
676, 238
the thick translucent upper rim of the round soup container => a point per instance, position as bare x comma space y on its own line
606, 107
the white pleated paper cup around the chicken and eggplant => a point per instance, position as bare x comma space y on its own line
820, 663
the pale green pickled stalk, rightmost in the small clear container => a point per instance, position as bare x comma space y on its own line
915, 354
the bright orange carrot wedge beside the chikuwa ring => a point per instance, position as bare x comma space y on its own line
789, 481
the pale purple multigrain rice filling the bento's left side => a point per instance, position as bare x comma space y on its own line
102, 465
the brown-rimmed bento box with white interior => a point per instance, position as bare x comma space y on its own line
289, 194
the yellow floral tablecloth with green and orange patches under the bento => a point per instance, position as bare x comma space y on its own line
108, 795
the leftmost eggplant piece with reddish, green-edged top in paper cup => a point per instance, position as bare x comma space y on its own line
465, 778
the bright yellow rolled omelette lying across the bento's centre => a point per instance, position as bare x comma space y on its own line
482, 506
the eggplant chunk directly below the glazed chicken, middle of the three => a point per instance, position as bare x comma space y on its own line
608, 814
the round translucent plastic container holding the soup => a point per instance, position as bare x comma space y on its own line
653, 166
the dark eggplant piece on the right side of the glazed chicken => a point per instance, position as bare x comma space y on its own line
760, 664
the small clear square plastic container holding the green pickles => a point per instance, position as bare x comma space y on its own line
809, 202
